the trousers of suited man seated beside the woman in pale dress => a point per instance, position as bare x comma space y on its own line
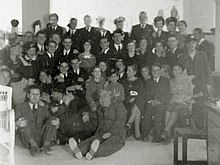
153, 120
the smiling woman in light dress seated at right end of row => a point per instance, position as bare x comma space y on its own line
182, 93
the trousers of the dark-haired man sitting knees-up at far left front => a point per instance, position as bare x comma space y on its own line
46, 133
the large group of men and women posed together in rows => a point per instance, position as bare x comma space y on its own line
92, 88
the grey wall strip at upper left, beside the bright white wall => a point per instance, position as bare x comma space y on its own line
33, 10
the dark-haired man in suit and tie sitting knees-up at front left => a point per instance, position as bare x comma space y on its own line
34, 124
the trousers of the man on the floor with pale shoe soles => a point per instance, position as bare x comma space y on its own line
107, 147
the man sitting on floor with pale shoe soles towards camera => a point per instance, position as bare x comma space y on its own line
110, 135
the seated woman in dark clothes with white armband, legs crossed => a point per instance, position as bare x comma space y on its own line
134, 102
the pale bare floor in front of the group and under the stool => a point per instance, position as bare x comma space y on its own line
133, 153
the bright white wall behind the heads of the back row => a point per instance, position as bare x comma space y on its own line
111, 9
